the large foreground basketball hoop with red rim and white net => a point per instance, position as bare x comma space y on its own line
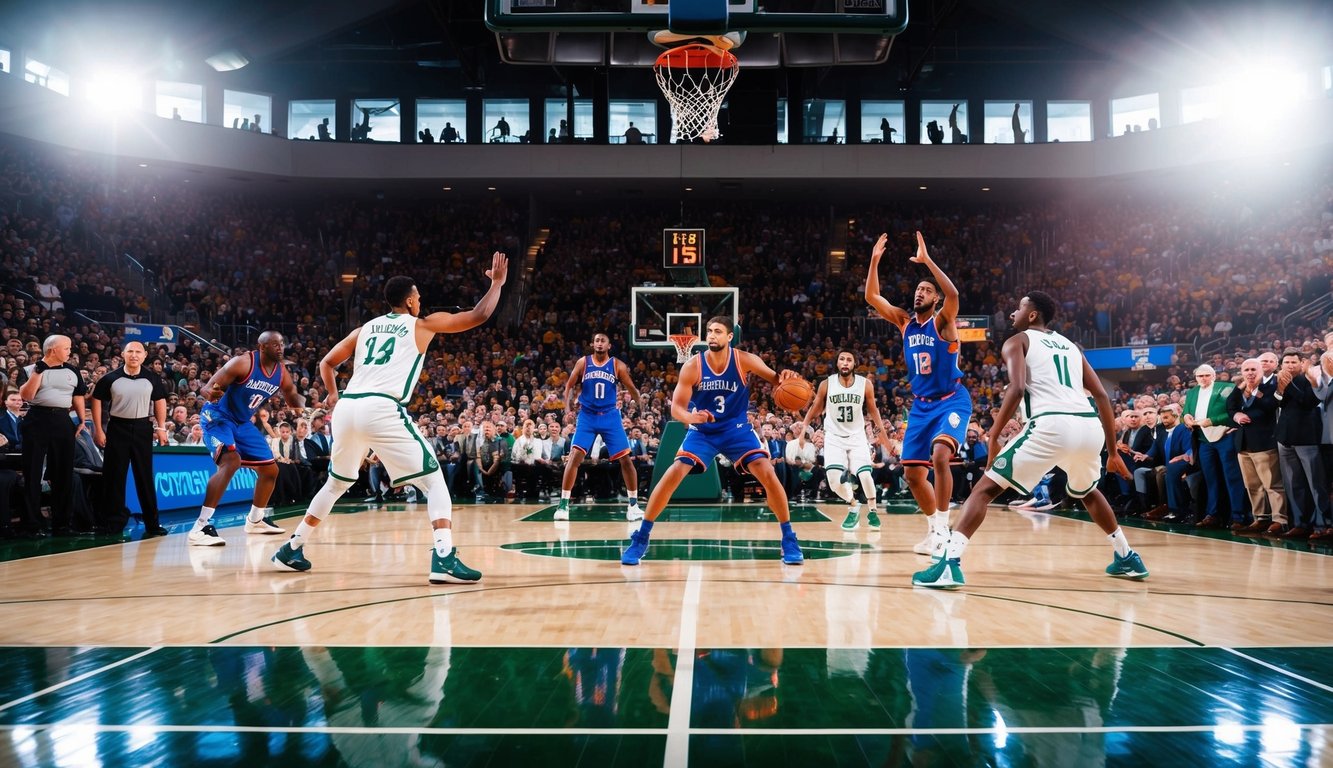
695, 81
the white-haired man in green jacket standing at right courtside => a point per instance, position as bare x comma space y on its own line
1206, 414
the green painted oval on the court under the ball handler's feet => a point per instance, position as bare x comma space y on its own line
686, 549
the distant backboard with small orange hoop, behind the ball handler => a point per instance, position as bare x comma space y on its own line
659, 313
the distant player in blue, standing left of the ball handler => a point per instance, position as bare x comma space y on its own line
599, 415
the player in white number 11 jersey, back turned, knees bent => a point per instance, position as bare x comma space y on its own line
1048, 379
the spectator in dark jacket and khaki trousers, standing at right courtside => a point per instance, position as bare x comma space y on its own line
1254, 407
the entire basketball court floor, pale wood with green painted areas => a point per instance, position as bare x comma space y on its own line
711, 653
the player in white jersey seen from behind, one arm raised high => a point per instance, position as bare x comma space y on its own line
389, 354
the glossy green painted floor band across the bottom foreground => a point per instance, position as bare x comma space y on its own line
475, 706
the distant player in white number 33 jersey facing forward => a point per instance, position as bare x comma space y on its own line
844, 399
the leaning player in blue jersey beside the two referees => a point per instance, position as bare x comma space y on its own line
239, 390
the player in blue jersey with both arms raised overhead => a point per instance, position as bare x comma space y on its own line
942, 406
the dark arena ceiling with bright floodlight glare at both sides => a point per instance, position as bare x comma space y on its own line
415, 46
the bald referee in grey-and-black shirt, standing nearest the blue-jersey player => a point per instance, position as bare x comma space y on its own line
133, 394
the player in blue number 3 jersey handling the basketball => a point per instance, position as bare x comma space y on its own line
712, 399
